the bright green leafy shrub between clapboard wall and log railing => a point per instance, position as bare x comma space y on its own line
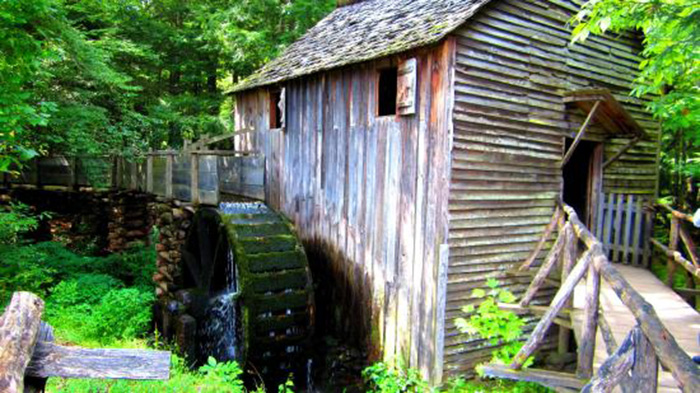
488, 321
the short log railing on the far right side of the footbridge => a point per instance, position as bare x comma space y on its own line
680, 236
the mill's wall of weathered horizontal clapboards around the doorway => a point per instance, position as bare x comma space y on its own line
514, 61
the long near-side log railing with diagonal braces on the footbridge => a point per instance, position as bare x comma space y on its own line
634, 363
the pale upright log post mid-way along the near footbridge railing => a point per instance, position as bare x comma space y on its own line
586, 347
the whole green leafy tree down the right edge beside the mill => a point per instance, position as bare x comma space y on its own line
669, 73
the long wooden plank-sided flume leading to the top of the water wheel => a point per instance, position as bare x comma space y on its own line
198, 176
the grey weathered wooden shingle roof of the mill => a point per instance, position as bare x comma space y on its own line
364, 31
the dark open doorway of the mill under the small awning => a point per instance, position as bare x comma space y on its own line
582, 178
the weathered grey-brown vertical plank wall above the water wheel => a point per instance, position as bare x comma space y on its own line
370, 192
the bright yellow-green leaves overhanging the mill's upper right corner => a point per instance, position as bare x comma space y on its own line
671, 66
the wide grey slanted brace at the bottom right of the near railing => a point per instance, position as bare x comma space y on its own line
615, 368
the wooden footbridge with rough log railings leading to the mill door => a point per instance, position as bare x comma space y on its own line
634, 333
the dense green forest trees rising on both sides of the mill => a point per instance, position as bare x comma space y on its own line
105, 76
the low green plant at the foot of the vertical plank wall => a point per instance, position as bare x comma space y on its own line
385, 378
